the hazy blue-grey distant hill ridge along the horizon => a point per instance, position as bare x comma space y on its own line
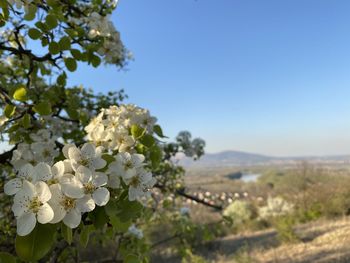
238, 158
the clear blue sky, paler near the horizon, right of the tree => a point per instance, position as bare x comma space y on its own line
264, 76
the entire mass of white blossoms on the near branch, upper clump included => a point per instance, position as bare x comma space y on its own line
50, 189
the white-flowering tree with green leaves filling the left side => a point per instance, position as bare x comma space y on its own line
74, 162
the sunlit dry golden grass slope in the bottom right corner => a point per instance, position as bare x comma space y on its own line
322, 241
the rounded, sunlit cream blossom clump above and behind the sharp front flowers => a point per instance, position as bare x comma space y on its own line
111, 128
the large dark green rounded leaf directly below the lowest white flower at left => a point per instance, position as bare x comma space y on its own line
37, 244
